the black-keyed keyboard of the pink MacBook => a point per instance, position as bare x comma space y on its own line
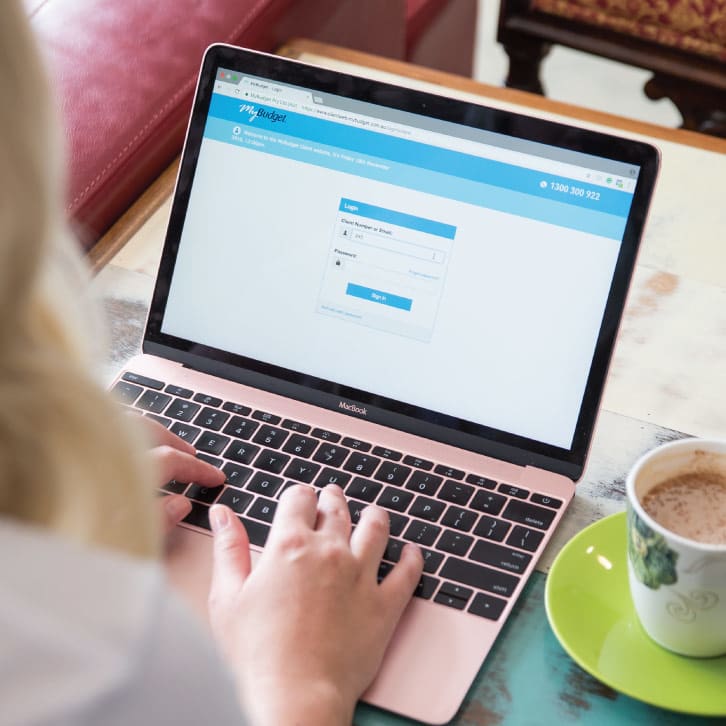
477, 535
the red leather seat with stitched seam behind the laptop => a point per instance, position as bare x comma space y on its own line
124, 72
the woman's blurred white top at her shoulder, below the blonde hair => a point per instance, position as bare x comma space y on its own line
96, 637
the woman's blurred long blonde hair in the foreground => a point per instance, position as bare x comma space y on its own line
69, 458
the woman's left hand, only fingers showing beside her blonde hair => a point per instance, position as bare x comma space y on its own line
174, 458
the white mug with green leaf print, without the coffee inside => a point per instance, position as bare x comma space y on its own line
678, 585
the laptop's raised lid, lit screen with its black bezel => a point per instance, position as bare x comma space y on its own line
440, 267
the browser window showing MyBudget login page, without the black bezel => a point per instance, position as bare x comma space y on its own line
432, 263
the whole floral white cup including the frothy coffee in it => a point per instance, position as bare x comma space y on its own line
676, 501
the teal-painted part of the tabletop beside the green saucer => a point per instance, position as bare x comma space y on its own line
529, 680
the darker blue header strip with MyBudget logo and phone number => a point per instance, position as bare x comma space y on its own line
453, 163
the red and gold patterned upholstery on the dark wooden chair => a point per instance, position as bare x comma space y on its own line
696, 26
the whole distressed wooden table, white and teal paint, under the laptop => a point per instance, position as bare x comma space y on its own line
667, 379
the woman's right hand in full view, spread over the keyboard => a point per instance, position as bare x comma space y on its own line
306, 630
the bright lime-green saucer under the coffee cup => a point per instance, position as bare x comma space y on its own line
588, 603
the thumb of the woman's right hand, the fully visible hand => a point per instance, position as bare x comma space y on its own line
232, 562
